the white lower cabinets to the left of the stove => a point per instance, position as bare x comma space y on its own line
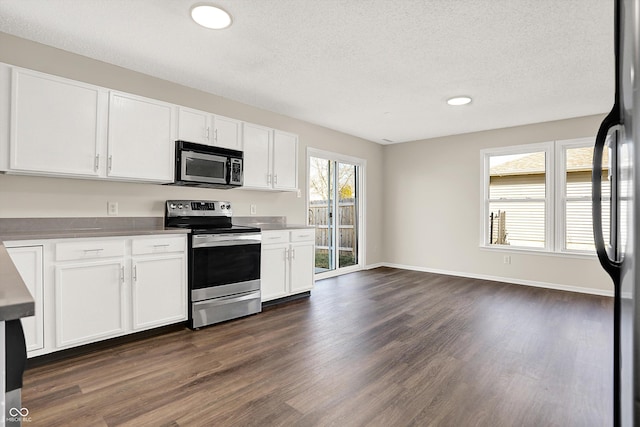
87, 290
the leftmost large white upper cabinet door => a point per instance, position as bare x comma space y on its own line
57, 125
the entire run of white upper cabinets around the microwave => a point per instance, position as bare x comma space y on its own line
54, 126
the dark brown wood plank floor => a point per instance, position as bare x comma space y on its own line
383, 347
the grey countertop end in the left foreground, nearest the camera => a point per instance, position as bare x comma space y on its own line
15, 299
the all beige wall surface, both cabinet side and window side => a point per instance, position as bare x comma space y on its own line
423, 197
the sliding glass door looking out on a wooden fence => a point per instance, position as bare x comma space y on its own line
334, 211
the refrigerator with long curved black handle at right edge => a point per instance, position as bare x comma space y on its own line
616, 241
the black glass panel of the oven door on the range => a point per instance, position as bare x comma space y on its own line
223, 265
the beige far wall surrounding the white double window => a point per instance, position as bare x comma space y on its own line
433, 209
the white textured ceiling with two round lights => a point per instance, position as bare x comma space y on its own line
377, 69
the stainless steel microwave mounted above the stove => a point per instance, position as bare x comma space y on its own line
200, 165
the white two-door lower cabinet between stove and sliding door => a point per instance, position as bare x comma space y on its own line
287, 265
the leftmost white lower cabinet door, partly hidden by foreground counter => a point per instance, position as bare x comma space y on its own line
28, 261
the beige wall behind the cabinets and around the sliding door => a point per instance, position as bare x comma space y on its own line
29, 196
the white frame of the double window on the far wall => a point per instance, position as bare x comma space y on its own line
555, 195
